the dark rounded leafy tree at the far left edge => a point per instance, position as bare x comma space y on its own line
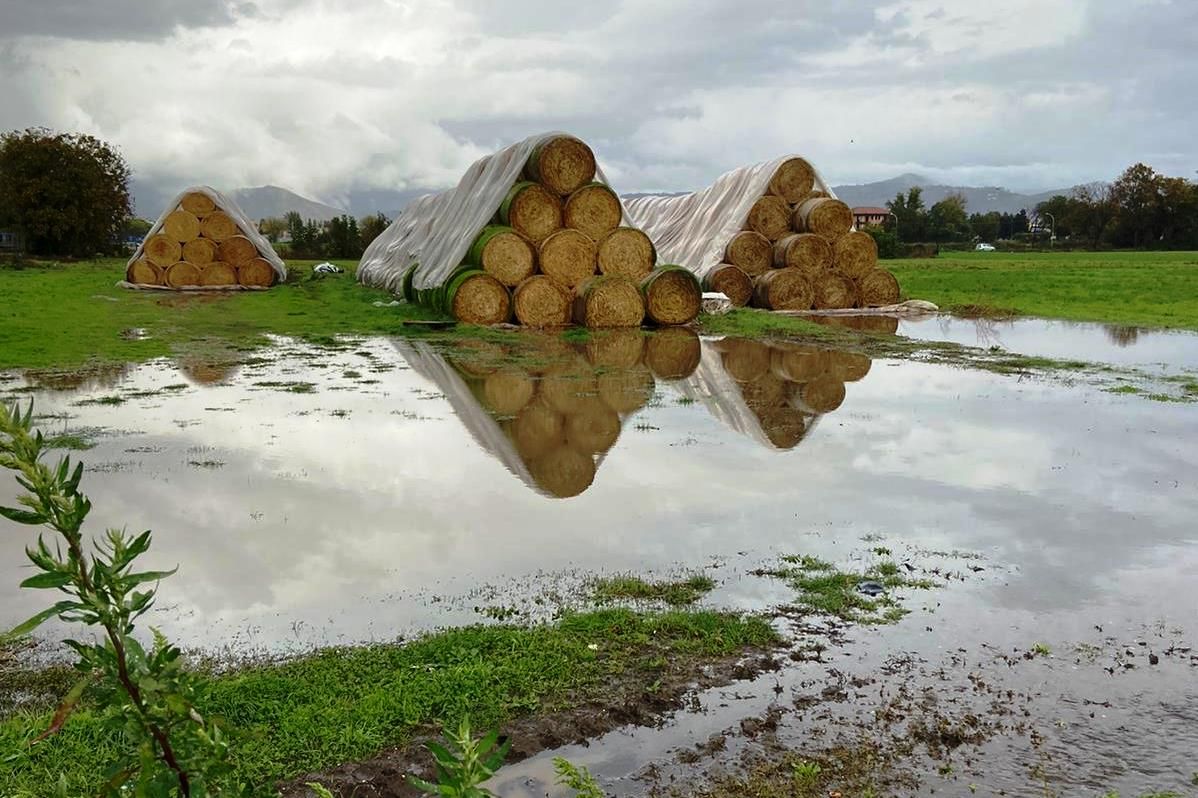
69, 194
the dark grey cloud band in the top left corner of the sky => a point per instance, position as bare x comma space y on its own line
114, 20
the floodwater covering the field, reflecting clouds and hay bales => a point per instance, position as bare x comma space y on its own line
378, 488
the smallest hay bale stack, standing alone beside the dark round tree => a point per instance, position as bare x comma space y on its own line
203, 240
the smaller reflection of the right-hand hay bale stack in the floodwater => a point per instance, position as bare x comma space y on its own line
773, 392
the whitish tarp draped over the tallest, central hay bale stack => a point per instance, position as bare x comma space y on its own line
438, 231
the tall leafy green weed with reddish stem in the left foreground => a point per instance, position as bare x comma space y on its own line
143, 698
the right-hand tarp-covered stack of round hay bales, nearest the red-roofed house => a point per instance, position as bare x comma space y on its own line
773, 237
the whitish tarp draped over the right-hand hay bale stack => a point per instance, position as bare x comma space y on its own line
694, 229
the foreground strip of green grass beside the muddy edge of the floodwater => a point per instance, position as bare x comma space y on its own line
344, 705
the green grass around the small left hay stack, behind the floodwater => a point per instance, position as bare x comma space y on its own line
68, 315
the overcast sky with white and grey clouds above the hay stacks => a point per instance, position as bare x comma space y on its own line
323, 96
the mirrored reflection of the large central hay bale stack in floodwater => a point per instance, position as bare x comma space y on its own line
550, 410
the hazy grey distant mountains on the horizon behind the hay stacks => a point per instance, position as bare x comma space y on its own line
276, 202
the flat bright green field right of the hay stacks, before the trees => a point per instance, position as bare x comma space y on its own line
1155, 289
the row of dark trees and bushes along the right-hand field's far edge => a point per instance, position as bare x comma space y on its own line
1142, 209
